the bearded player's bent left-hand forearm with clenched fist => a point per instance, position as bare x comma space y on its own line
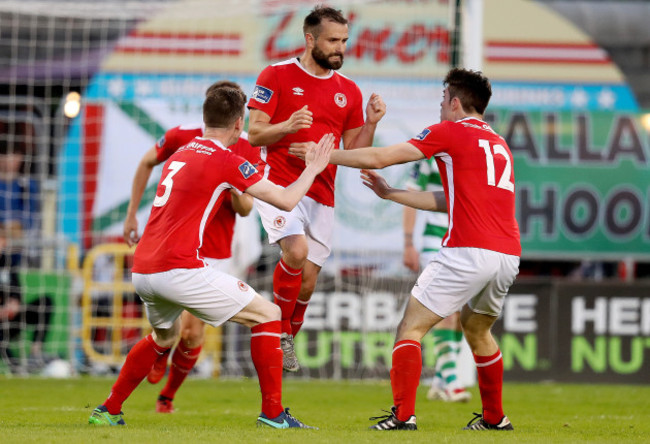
262, 132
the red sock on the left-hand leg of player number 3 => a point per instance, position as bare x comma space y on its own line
138, 363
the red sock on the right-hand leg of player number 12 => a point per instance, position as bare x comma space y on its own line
490, 384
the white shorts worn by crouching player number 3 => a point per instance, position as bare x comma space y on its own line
209, 294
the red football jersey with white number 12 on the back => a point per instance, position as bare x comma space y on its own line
477, 174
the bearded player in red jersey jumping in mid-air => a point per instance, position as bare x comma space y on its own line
296, 102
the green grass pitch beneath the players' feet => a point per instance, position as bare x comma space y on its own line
224, 410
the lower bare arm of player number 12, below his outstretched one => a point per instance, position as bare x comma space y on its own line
423, 200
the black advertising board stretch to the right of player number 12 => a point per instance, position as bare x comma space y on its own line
573, 332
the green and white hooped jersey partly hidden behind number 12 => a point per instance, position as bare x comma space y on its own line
425, 177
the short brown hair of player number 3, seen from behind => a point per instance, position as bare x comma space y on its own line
223, 106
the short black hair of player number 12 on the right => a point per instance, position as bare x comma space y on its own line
472, 88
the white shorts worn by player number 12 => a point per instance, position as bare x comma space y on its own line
473, 276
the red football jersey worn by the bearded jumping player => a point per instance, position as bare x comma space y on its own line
337, 106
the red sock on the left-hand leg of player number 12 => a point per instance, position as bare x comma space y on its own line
405, 377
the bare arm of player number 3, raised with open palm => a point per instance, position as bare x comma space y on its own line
317, 159
